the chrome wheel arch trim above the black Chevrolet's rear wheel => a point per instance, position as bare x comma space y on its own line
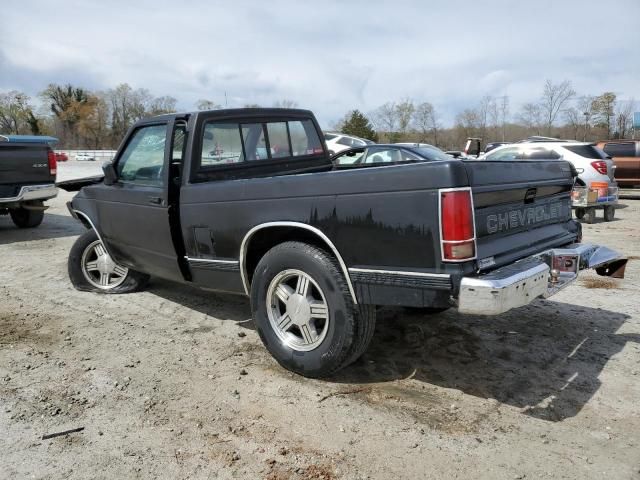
265, 236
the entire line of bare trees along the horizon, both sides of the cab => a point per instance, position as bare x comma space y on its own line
81, 118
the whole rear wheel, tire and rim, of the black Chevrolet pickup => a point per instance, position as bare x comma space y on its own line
304, 312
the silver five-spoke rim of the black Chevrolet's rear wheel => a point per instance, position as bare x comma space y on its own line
297, 310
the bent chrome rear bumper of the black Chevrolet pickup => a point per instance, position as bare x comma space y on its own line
541, 275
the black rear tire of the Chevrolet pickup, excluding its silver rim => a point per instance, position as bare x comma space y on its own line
350, 327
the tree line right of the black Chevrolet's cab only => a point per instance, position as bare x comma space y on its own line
558, 112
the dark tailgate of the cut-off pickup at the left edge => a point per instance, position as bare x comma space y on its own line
22, 164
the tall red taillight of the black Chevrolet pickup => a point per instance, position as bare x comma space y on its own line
457, 226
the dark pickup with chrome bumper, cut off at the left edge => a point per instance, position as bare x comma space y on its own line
27, 176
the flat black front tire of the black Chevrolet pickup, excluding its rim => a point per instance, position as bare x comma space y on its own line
132, 281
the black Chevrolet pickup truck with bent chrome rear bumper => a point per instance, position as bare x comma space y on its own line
248, 201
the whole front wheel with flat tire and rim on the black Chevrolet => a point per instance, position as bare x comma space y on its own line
92, 269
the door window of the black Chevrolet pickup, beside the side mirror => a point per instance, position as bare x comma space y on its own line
142, 160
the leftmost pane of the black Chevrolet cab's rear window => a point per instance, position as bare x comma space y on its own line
221, 144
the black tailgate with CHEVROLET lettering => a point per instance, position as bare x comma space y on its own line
521, 208
